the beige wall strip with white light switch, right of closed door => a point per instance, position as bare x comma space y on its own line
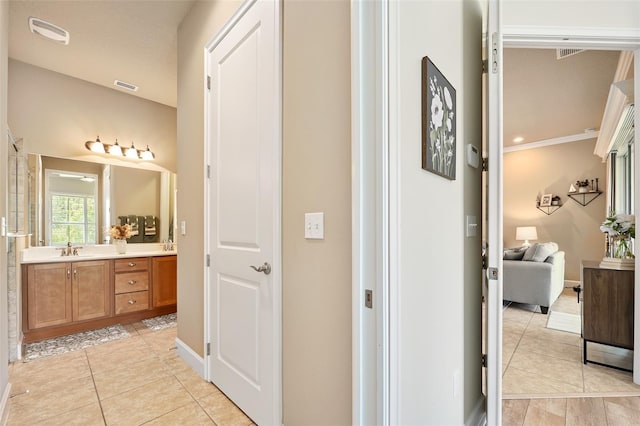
317, 177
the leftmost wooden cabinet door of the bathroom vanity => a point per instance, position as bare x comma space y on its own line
49, 294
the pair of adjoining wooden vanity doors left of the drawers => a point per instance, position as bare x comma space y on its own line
59, 293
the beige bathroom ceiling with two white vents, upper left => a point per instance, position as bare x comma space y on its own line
133, 41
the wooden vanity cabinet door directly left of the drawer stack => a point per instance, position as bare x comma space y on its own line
91, 290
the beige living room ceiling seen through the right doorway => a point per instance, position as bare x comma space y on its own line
547, 98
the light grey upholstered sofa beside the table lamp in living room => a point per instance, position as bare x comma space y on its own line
534, 276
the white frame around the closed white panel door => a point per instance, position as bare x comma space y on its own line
277, 197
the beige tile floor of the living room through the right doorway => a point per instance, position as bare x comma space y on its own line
540, 362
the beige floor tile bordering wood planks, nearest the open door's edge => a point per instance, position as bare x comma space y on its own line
522, 382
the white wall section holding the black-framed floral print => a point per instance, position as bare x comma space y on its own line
434, 288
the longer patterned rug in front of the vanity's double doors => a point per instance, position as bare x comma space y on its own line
73, 342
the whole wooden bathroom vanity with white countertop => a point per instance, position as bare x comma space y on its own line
67, 294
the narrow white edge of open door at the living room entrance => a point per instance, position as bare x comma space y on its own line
494, 216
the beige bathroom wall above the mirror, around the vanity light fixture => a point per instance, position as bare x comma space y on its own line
56, 114
